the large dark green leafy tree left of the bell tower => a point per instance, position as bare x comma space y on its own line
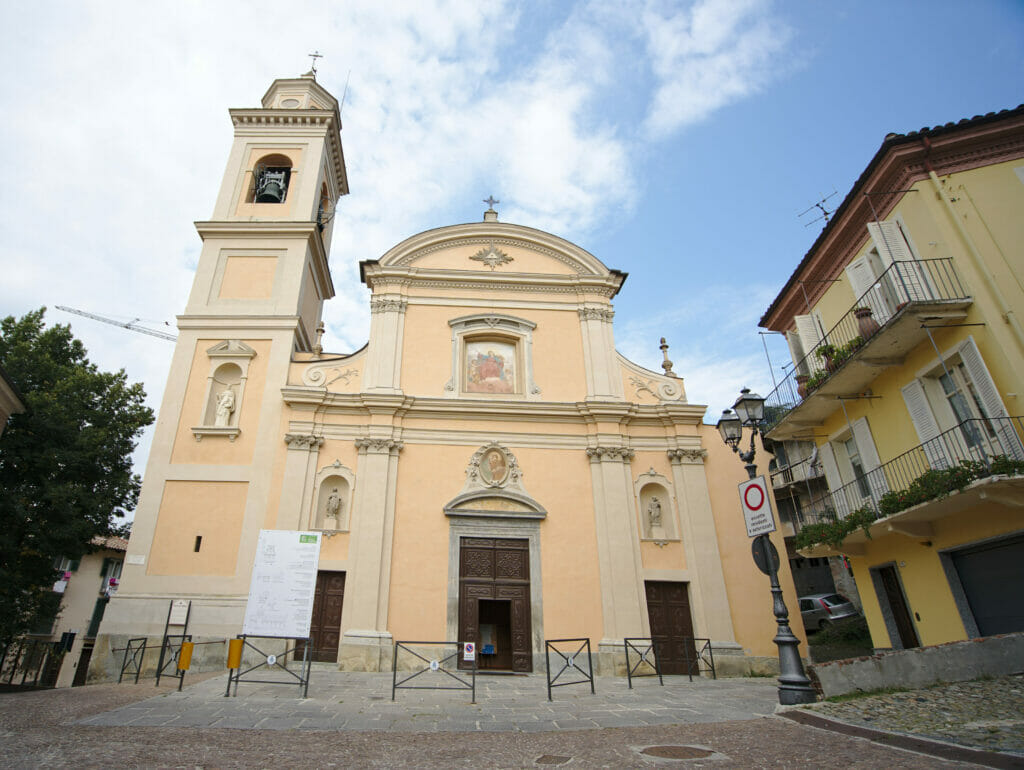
66, 474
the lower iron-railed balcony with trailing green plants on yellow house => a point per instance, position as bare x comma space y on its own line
978, 461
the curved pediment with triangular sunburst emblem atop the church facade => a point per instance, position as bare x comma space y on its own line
494, 247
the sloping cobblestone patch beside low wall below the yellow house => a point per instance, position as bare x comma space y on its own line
987, 714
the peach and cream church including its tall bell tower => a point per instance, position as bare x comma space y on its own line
488, 466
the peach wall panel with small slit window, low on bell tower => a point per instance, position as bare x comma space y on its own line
211, 509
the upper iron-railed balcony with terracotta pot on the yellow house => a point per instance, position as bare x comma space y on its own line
886, 323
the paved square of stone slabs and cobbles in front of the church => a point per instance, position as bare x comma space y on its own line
729, 723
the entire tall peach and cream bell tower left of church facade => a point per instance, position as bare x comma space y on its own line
257, 302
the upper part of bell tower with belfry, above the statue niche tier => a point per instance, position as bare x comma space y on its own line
266, 249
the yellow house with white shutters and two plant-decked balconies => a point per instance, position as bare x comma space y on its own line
905, 323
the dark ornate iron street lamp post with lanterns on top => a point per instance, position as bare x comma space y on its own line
794, 687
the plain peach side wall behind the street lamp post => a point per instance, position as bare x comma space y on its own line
749, 589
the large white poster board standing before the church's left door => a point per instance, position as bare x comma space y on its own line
281, 595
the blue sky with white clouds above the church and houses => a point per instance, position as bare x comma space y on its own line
676, 142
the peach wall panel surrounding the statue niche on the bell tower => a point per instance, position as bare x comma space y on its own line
219, 450
